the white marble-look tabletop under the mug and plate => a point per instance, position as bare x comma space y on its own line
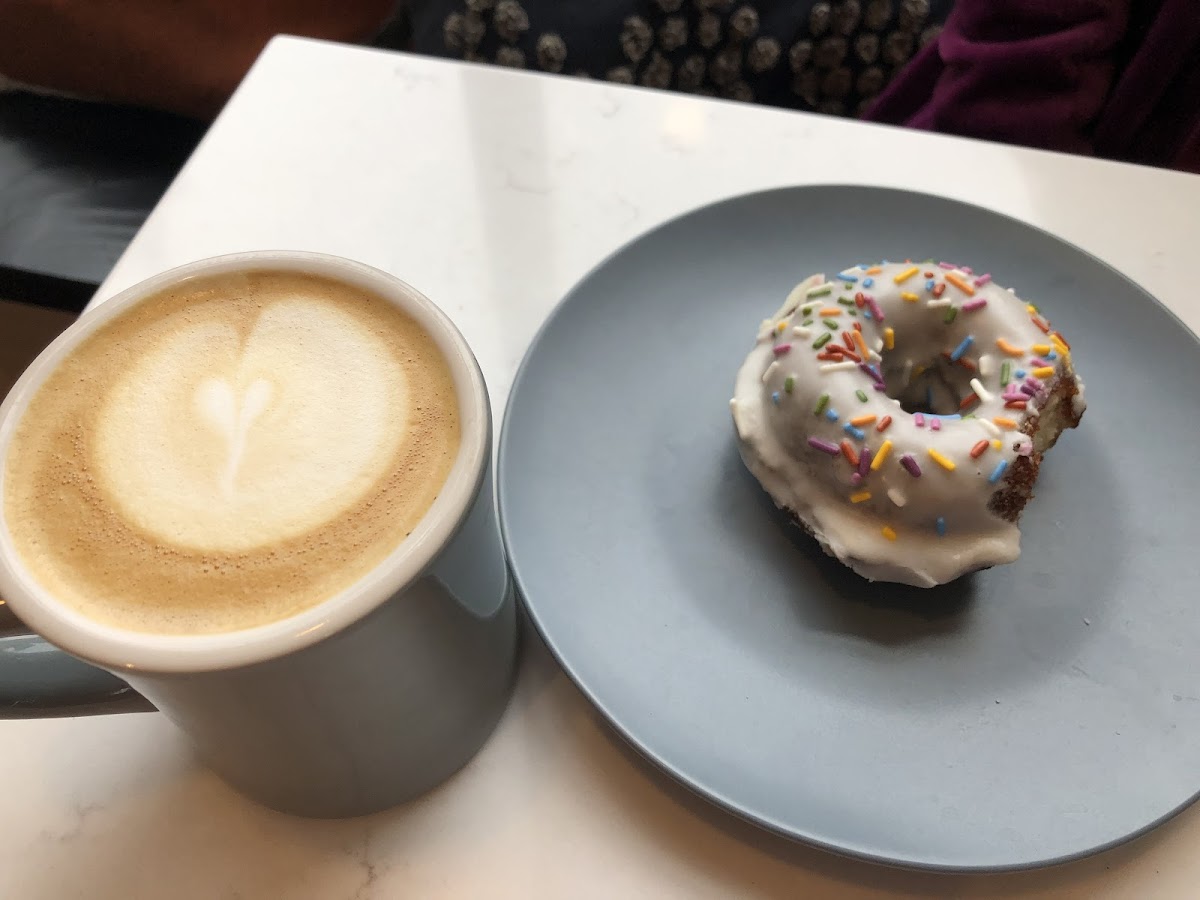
494, 193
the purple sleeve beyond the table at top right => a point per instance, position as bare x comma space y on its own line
1034, 73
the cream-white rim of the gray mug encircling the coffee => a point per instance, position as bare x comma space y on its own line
125, 651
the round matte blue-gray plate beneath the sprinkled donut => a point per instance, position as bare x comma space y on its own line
1025, 716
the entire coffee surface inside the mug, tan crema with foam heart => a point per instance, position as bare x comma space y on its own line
230, 452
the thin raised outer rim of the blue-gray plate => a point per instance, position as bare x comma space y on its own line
695, 787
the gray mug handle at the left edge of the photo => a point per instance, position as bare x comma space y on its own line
39, 681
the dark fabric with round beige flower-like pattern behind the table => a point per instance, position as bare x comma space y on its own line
830, 56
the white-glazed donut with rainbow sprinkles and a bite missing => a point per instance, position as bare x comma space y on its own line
901, 413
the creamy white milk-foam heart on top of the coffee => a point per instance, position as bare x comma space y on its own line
221, 442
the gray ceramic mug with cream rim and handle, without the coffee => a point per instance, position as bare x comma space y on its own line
369, 699
